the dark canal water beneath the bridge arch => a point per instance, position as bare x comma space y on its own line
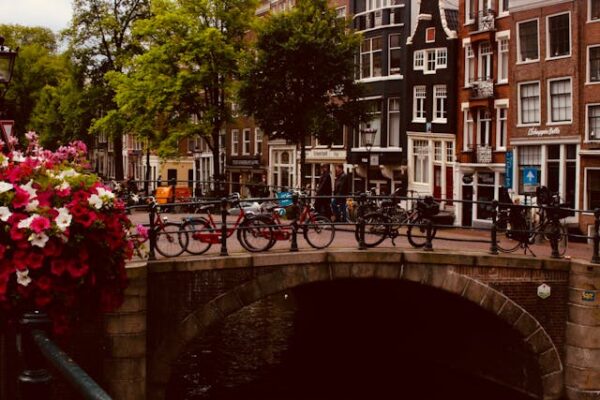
346, 342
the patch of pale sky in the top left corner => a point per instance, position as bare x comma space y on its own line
53, 14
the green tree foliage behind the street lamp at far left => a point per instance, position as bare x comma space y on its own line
37, 66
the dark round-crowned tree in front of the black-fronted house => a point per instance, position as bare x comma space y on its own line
303, 64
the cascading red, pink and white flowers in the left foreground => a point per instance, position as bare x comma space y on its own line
63, 235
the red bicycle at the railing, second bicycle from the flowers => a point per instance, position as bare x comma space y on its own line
252, 233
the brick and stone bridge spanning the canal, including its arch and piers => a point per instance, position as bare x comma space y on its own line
171, 302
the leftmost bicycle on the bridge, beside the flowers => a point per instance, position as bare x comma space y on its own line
169, 240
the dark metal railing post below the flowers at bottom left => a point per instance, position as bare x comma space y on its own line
34, 380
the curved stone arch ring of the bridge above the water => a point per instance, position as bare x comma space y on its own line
285, 273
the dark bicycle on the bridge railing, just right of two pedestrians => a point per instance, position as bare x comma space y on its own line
387, 222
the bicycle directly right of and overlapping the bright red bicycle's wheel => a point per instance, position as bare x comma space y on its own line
318, 230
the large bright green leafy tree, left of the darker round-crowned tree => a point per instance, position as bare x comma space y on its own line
180, 86
